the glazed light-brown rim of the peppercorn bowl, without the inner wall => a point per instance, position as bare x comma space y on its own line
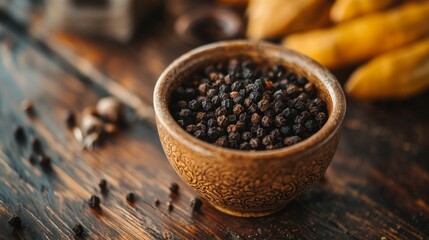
318, 139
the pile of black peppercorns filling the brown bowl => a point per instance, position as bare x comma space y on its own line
247, 105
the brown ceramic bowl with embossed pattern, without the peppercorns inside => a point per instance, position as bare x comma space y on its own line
248, 183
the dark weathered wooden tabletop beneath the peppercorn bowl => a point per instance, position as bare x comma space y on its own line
377, 186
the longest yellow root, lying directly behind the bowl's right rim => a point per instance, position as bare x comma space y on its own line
361, 39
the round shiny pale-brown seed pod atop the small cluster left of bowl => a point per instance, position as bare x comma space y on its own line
110, 109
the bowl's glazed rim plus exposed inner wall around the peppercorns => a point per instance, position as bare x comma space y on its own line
328, 87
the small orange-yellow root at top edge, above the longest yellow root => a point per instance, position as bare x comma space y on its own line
343, 10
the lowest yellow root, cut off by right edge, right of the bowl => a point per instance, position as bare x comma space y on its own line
397, 74
